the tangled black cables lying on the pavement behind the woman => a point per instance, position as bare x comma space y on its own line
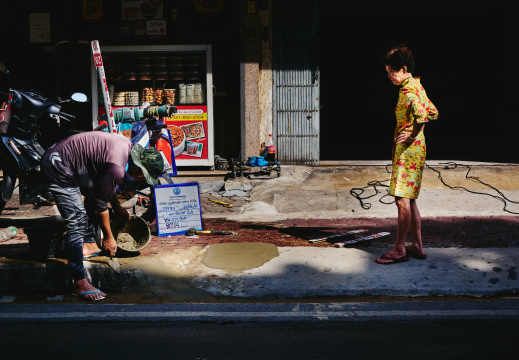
357, 192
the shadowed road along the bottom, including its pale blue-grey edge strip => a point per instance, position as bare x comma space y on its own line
400, 330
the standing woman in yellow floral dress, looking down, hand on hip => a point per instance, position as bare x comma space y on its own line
413, 110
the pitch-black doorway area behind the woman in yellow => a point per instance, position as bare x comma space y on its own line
463, 52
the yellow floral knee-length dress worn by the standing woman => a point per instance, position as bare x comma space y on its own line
409, 159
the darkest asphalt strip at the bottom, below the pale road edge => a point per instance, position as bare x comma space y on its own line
460, 339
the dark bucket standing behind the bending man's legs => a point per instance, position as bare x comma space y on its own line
45, 240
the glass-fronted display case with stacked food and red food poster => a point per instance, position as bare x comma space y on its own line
160, 75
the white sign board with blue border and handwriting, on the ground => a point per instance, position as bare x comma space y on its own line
178, 208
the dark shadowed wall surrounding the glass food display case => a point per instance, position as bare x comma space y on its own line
35, 65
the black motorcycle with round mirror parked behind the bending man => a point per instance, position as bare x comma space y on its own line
20, 151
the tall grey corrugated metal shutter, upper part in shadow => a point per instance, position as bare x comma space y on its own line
296, 81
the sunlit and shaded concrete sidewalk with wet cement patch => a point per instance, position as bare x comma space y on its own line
471, 239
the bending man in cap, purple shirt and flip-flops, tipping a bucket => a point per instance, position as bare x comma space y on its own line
92, 164
